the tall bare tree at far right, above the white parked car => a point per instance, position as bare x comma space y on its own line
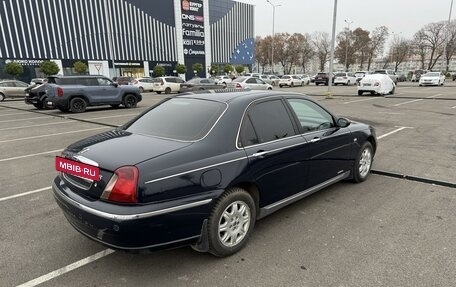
432, 37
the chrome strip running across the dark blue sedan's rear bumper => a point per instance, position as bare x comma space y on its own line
123, 217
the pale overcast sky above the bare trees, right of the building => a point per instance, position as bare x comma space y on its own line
403, 17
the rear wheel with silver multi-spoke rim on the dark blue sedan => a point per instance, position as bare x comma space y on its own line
231, 222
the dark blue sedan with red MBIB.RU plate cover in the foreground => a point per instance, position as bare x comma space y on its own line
200, 169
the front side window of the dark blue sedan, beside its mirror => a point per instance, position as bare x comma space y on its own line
311, 116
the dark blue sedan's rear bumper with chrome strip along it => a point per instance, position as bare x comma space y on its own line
156, 229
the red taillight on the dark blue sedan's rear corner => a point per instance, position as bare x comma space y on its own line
123, 185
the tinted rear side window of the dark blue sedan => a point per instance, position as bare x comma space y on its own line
265, 122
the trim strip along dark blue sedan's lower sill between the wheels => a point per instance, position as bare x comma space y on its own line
279, 204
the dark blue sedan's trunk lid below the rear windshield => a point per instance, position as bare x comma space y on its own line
113, 149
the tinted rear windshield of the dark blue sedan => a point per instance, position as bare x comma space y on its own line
179, 119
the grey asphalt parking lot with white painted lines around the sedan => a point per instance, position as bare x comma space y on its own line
395, 229
